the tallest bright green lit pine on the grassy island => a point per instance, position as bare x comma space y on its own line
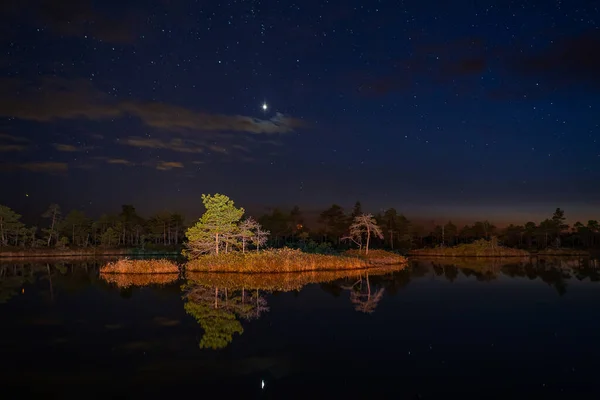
220, 219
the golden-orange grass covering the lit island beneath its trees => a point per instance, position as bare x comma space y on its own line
282, 260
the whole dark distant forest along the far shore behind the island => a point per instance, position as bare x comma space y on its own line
166, 229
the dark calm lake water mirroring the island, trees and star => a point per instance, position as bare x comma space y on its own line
478, 329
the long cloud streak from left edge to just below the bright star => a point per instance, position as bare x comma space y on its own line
55, 98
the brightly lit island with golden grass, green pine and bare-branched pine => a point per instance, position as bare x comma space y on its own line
222, 242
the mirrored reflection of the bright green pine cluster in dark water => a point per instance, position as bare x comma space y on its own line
217, 312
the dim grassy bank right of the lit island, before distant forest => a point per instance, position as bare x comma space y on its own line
479, 248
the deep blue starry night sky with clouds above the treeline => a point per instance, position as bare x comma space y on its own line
461, 109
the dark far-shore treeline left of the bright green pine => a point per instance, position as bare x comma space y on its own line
76, 229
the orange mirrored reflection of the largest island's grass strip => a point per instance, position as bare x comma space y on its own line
284, 282
